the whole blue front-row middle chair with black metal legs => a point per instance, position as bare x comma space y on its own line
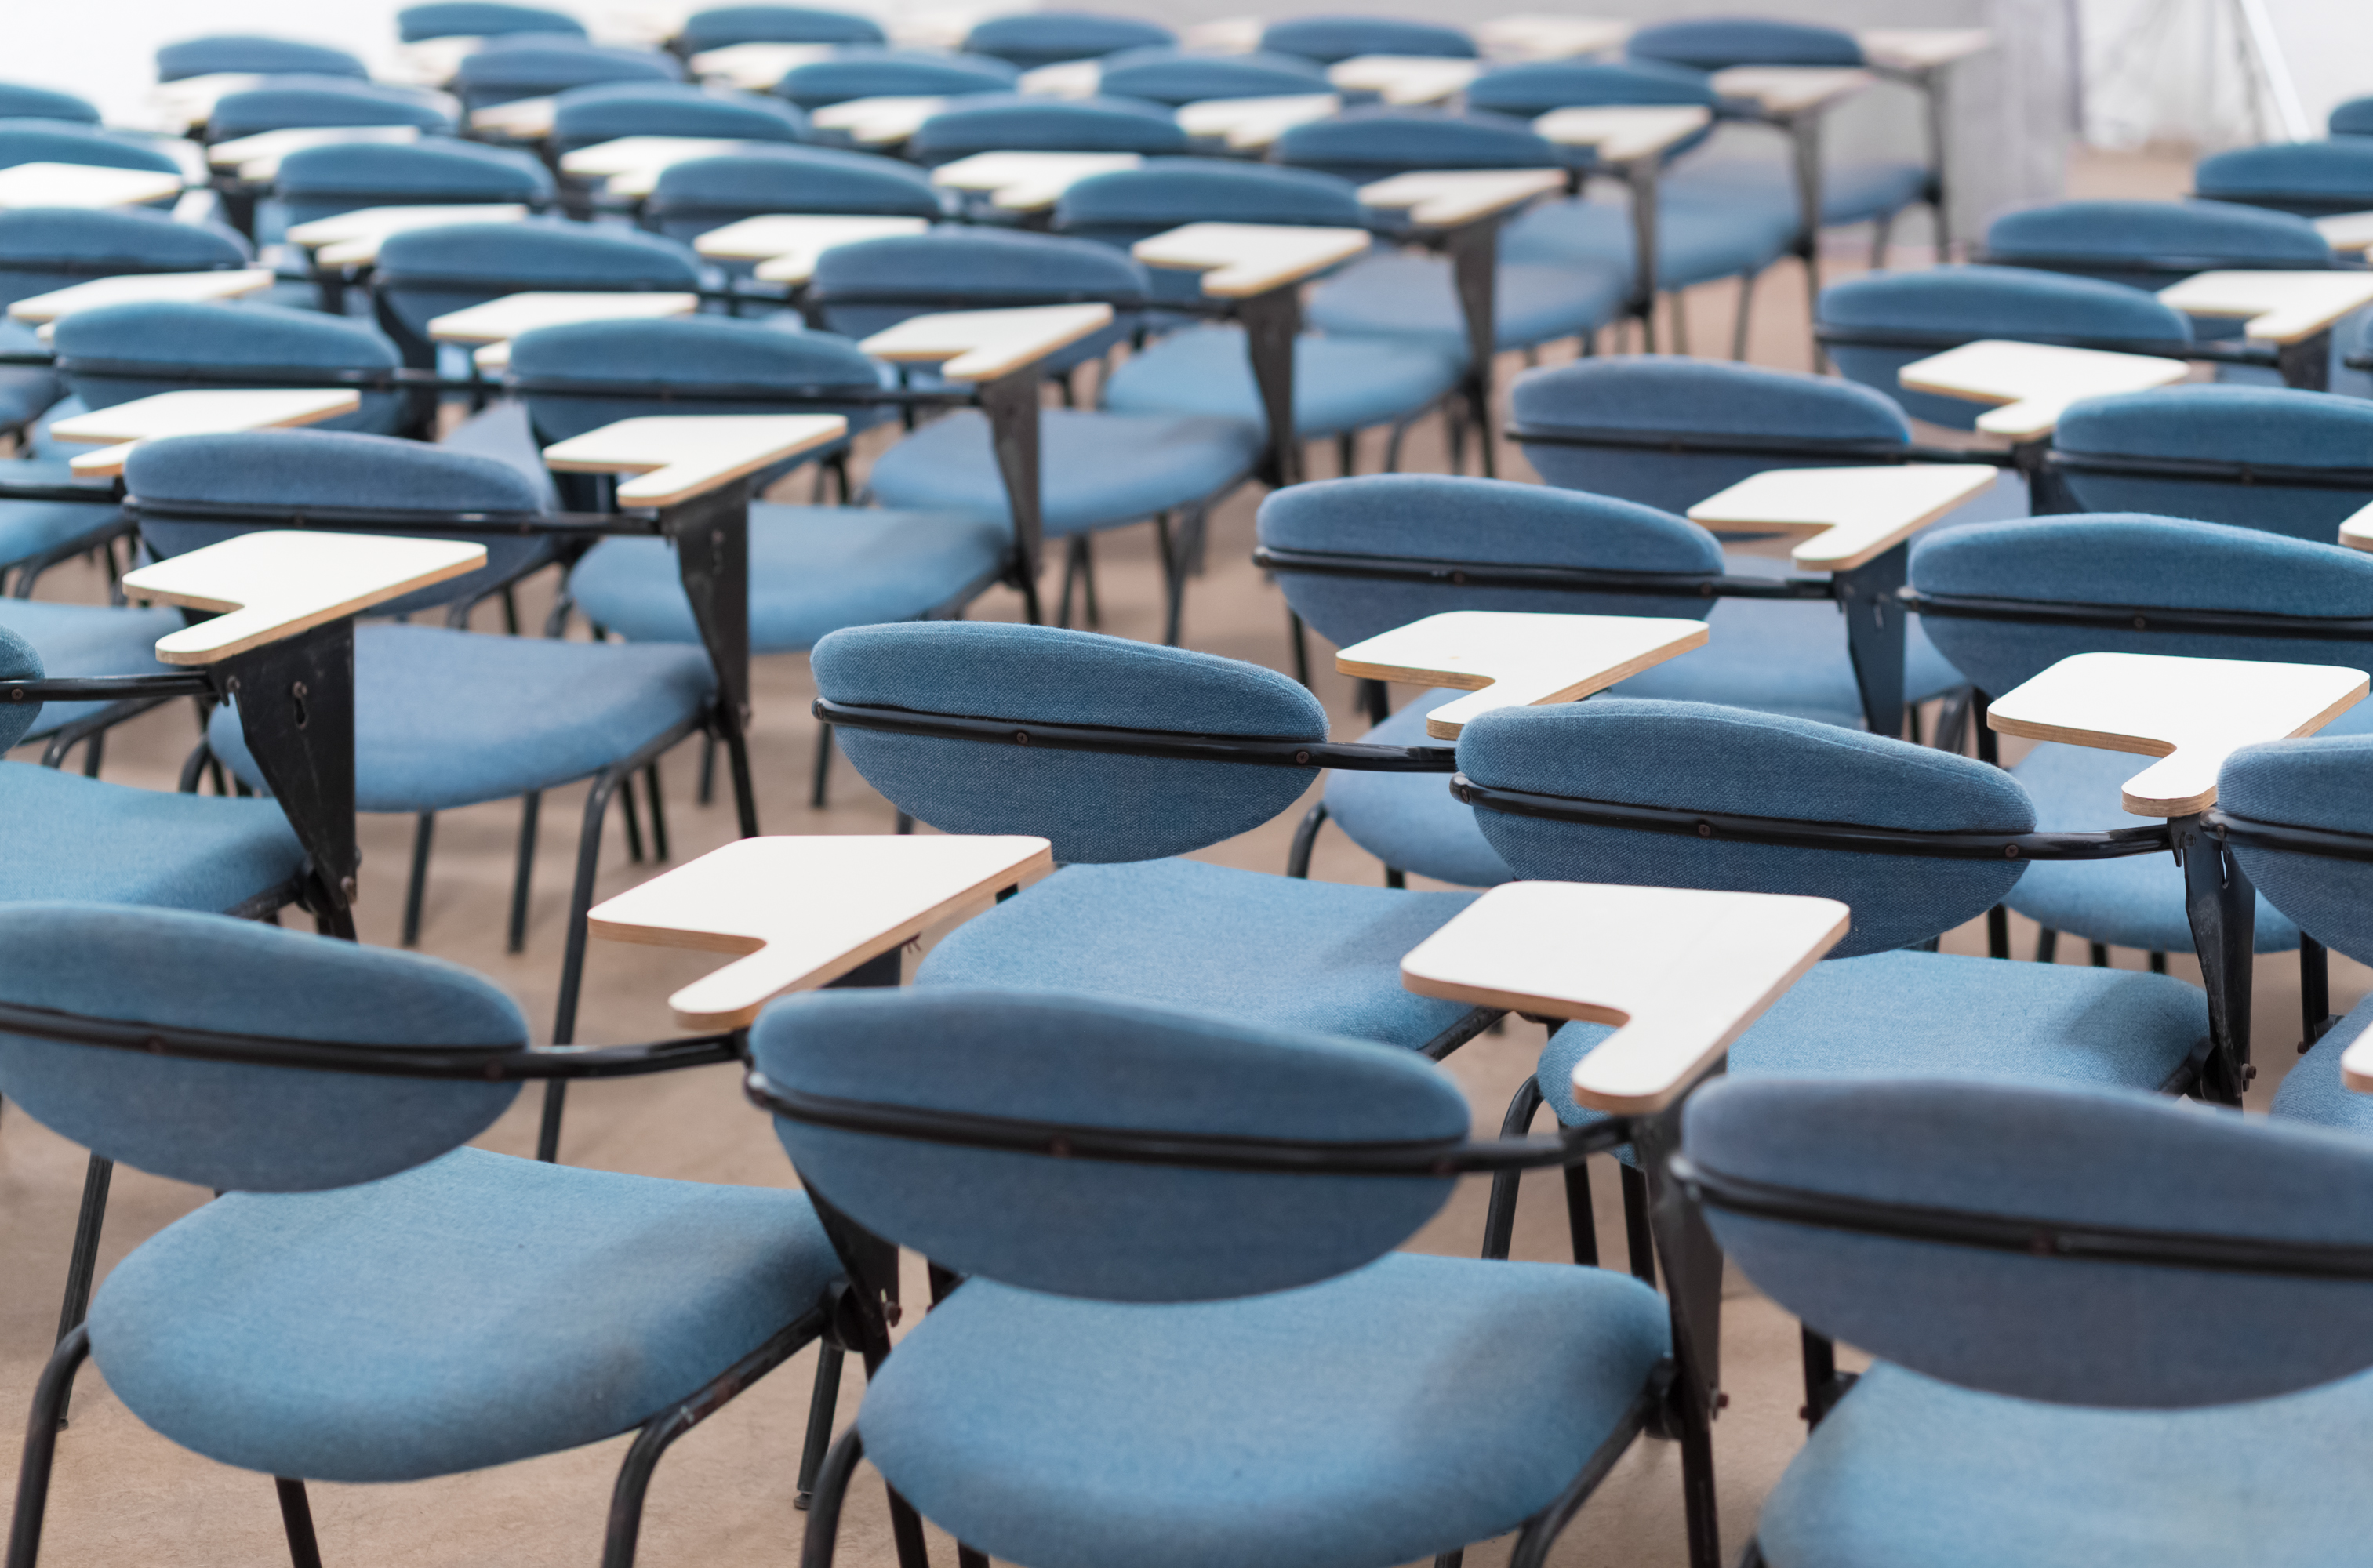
1197, 1363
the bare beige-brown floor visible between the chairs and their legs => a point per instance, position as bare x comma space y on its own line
725, 1493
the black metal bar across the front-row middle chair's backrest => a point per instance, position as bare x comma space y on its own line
1188, 1149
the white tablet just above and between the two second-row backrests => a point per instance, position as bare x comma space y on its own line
1518, 661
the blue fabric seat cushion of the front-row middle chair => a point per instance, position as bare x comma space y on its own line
1382, 1417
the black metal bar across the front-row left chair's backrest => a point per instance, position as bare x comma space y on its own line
476, 1064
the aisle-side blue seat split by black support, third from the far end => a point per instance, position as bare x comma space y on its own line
1413, 298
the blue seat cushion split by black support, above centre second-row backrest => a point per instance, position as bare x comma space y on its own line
1098, 471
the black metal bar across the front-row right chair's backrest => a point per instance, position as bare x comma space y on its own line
2018, 1235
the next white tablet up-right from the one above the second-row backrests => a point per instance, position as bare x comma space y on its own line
1850, 516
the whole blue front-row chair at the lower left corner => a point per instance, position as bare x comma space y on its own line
483, 1301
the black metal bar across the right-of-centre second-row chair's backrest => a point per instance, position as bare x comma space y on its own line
1798, 834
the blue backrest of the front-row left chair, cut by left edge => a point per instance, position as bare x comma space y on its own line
236, 1126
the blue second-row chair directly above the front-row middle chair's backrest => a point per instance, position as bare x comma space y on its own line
1126, 919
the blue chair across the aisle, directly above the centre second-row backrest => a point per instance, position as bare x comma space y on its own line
1098, 469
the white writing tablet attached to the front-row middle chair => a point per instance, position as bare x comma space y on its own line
1679, 971
